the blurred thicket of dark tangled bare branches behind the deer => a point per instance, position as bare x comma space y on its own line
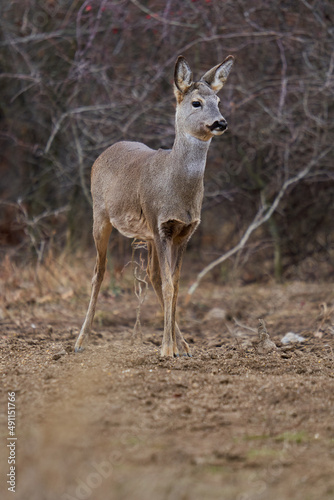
77, 76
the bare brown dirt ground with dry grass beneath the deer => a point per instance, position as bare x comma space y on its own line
119, 422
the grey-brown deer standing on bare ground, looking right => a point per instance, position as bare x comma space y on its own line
156, 195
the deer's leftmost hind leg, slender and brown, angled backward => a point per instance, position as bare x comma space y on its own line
101, 233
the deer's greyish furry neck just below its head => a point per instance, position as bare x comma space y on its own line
189, 155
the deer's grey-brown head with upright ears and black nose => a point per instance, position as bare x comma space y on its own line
197, 112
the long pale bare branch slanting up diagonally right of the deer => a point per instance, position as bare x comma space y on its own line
262, 216
